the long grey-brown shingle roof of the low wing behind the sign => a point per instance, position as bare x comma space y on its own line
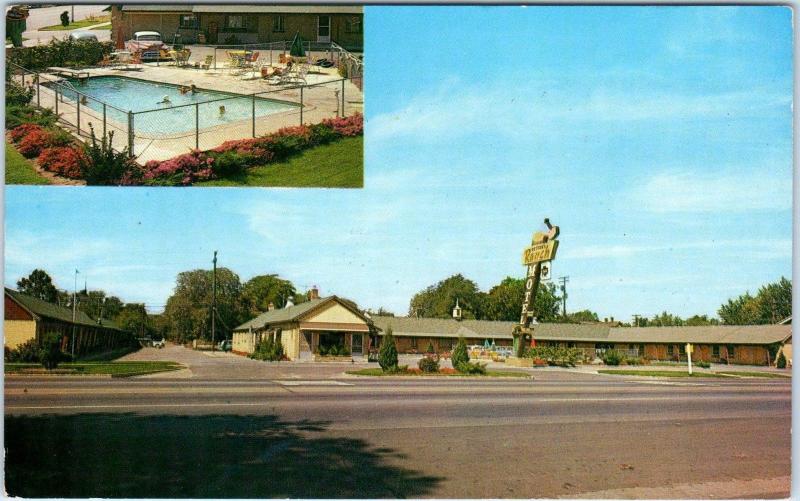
717, 334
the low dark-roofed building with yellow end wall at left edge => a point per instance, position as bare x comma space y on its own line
27, 318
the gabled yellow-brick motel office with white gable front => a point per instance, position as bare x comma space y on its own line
306, 327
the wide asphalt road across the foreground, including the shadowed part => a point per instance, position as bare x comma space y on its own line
349, 437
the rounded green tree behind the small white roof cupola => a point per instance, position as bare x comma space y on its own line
437, 301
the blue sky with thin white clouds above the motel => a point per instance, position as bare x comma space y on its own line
659, 139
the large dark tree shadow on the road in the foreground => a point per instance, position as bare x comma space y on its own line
127, 455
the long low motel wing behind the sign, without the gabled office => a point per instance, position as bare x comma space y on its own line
745, 344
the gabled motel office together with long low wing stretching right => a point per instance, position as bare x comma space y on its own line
303, 328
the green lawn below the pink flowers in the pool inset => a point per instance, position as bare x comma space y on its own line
336, 165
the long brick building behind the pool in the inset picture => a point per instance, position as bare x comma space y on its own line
239, 24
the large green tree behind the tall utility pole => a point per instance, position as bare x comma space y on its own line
188, 310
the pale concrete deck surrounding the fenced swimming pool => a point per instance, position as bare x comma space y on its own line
319, 102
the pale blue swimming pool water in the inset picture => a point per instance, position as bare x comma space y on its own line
138, 95
